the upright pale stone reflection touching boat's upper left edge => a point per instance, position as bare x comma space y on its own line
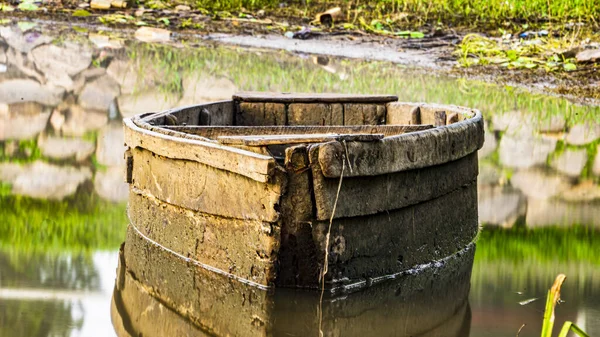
110, 147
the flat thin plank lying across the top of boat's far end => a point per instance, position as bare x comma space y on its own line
311, 98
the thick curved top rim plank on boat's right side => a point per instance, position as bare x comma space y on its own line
404, 152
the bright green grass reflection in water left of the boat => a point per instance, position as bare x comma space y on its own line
33, 225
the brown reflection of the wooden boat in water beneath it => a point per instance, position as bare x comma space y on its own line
158, 293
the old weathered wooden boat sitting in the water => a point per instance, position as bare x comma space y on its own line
275, 189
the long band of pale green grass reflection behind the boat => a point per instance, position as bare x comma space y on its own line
277, 71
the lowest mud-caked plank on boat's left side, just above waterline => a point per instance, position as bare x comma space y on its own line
245, 248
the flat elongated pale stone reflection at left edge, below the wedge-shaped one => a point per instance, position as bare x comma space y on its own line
21, 90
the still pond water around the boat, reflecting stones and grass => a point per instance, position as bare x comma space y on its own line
62, 197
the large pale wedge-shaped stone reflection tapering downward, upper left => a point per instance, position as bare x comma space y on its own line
60, 63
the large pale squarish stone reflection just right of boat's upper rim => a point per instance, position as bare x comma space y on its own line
525, 151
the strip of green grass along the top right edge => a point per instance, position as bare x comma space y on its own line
422, 11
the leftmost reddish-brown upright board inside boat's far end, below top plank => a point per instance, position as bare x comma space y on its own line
260, 113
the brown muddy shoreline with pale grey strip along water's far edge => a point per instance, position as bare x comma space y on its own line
433, 52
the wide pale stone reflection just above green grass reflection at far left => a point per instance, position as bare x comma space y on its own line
47, 181
